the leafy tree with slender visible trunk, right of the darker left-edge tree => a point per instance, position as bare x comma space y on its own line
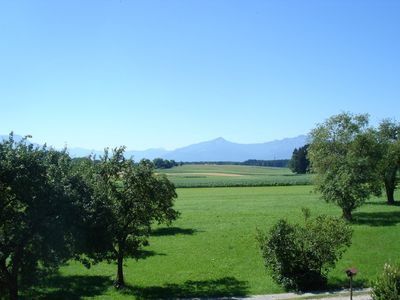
130, 198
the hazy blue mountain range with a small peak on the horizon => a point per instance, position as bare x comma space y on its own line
218, 149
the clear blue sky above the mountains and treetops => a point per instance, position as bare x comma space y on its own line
171, 73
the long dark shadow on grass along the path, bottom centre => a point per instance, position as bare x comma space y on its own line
227, 286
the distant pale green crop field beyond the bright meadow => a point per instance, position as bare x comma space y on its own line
232, 175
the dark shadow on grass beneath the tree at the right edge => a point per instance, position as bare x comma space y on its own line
377, 218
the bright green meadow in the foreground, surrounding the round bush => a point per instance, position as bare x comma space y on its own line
211, 250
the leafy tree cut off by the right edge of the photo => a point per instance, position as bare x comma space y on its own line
388, 135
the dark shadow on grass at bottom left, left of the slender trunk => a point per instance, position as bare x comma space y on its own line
70, 287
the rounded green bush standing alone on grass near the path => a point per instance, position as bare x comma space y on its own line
299, 257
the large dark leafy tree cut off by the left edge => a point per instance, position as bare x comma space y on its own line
40, 201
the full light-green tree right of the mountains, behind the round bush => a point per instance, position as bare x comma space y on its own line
343, 154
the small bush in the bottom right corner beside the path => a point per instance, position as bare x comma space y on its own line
387, 286
